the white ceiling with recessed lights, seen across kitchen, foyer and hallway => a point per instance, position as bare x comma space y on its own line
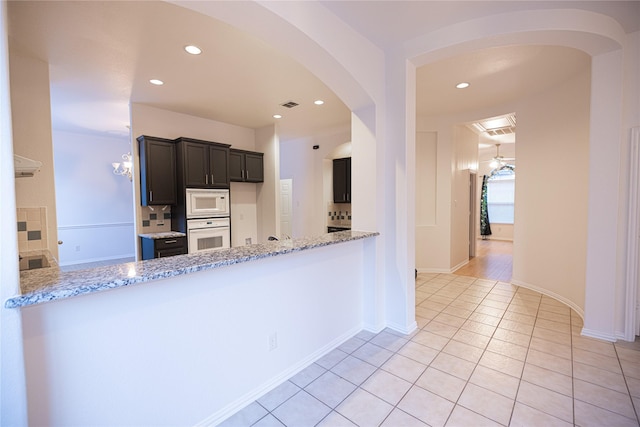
102, 54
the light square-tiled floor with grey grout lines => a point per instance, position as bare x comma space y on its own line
486, 353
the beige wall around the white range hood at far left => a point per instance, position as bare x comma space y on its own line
31, 110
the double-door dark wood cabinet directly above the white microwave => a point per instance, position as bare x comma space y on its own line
202, 164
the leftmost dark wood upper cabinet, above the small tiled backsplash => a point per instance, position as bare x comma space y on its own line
157, 171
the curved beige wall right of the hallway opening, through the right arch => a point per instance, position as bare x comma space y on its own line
552, 190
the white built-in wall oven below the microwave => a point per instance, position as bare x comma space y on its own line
207, 234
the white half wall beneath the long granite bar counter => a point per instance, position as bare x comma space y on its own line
191, 349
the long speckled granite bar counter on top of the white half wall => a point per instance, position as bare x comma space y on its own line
49, 284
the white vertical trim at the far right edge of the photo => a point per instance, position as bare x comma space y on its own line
633, 238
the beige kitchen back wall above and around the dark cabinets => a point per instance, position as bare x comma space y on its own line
152, 121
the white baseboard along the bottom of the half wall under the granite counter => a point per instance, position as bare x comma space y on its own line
253, 395
